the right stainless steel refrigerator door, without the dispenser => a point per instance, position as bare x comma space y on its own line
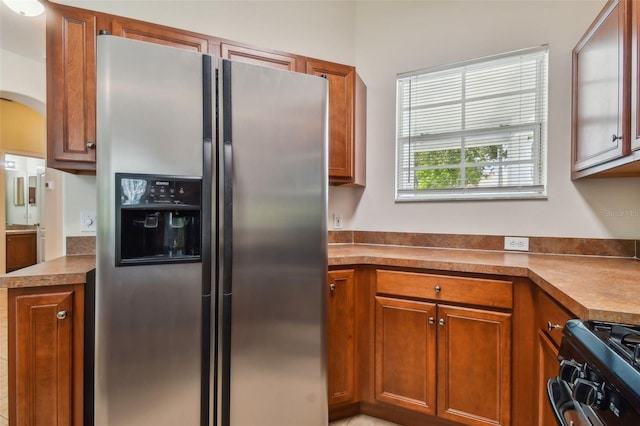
274, 263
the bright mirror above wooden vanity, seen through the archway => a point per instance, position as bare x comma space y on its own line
22, 189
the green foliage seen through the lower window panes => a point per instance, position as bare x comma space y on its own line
451, 177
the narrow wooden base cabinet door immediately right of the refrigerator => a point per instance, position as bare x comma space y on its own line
341, 366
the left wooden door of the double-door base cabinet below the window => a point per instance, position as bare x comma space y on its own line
405, 361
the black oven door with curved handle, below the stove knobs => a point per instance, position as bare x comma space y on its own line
567, 410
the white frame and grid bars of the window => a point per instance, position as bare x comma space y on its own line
405, 167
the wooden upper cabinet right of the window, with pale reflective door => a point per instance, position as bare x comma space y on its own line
605, 113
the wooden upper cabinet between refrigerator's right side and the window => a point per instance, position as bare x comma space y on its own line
347, 121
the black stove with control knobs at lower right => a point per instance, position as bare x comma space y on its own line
599, 379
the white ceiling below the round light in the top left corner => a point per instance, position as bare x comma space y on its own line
22, 35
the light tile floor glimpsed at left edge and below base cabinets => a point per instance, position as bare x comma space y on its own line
4, 407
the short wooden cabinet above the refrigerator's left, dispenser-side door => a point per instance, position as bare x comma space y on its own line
152, 33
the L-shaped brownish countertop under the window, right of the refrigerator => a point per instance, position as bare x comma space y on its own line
597, 288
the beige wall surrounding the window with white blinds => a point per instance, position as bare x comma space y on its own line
395, 36
